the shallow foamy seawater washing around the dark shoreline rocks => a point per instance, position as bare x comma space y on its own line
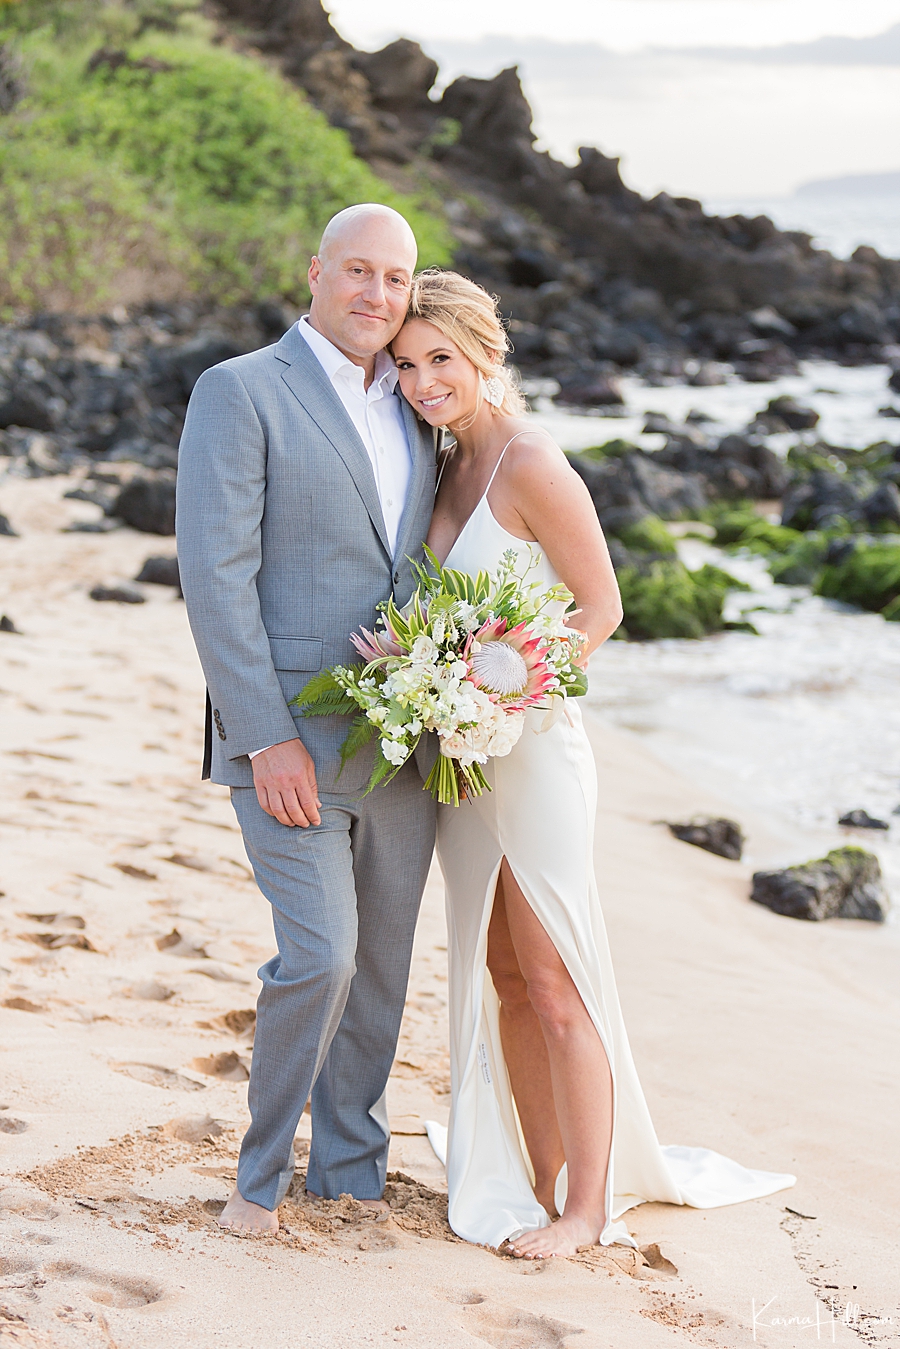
801, 724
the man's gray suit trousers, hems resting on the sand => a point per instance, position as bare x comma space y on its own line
345, 899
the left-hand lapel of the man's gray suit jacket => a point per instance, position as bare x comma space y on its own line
312, 388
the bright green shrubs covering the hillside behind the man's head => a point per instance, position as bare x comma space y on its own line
222, 167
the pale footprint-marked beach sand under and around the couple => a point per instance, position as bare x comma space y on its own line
130, 936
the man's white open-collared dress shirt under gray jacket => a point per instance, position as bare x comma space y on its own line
376, 413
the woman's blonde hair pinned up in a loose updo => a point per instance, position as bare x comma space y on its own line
469, 318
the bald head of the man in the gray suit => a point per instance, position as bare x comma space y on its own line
361, 281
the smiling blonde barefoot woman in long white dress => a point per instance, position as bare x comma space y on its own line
550, 1137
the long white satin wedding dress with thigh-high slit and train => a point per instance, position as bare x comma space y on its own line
540, 817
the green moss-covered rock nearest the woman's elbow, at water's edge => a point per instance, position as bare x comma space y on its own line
666, 600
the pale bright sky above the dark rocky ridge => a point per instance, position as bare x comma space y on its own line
693, 126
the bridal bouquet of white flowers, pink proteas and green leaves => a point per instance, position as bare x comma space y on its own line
465, 659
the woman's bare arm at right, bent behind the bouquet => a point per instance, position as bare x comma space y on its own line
542, 494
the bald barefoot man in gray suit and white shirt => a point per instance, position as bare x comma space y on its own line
304, 482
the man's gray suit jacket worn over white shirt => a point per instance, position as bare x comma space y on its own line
283, 550
